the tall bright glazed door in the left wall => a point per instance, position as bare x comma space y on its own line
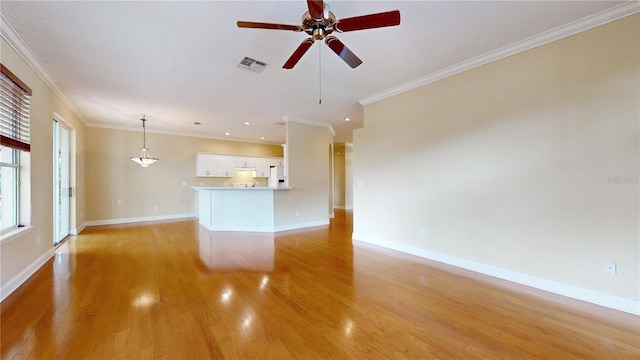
61, 187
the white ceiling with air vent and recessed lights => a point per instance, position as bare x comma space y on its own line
176, 61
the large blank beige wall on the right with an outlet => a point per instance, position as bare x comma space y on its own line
527, 164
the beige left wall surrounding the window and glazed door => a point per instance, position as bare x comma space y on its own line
25, 253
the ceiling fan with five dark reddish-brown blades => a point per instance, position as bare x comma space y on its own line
319, 23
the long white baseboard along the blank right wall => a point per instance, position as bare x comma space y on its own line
575, 292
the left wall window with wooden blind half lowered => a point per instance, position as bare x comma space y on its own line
15, 99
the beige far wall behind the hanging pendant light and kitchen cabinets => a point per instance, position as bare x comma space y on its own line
160, 190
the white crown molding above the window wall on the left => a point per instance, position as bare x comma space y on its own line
15, 41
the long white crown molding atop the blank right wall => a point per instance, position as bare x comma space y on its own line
586, 23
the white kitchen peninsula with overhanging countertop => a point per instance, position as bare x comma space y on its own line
238, 208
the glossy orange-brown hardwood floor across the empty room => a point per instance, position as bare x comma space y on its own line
173, 290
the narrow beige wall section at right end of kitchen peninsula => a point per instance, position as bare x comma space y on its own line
307, 203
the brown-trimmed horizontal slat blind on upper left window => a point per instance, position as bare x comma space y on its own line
15, 99
